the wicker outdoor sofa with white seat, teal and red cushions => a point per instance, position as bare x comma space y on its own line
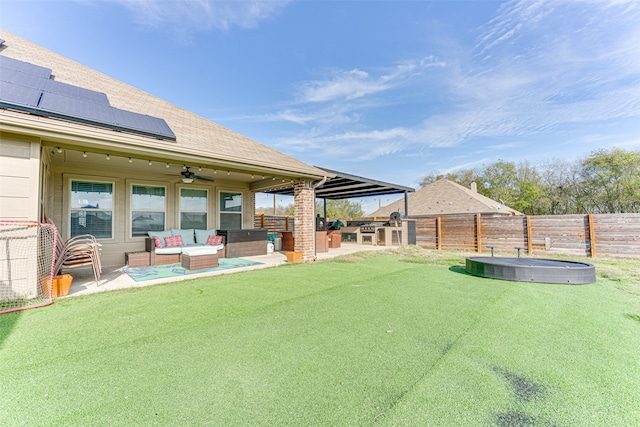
175, 242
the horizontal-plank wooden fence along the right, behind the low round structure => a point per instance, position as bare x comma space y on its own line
607, 235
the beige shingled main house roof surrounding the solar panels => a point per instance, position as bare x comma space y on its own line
195, 136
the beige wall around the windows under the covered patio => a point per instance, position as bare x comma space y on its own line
66, 167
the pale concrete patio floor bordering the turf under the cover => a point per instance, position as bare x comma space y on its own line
113, 277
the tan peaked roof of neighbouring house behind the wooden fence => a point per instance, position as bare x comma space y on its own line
445, 197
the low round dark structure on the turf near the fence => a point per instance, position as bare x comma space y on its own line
532, 270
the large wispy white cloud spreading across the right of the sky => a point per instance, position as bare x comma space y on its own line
539, 69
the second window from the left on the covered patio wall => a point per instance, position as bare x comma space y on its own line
147, 209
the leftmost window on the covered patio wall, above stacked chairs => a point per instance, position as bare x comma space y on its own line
92, 209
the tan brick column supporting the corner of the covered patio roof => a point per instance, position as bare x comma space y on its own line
304, 222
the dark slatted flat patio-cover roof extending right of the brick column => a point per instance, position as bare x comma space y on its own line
345, 186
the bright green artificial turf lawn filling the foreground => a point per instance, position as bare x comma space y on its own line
392, 339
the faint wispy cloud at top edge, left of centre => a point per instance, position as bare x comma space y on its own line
185, 16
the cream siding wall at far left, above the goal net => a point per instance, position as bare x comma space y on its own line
19, 177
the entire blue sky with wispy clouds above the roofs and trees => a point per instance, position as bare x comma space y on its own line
388, 90
